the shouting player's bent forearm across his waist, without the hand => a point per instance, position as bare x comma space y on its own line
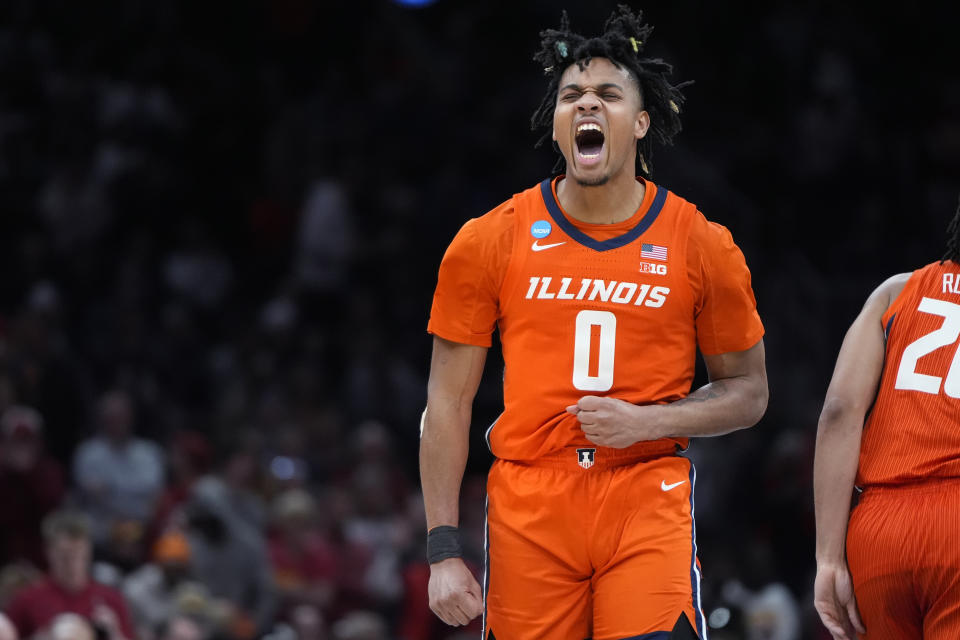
720, 407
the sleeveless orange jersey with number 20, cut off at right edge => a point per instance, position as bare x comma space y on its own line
913, 431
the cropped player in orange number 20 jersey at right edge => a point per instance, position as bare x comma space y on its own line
900, 362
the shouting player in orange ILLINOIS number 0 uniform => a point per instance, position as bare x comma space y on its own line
602, 286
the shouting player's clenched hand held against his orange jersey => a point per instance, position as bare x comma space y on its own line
610, 422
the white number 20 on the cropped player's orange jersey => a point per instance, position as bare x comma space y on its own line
907, 376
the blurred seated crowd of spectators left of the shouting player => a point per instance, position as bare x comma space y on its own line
179, 541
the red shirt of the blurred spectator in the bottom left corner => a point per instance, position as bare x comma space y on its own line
36, 606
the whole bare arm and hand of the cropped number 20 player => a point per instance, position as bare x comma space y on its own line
851, 392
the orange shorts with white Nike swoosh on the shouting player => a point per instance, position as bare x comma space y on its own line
589, 543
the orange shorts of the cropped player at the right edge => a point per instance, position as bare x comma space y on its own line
904, 558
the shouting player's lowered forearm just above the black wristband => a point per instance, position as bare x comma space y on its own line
444, 445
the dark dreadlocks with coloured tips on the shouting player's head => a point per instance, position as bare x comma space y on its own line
622, 42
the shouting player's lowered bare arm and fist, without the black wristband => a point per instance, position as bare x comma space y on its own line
455, 371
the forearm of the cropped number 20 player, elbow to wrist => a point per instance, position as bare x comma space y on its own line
834, 473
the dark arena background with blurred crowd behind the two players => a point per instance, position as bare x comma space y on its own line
220, 225
